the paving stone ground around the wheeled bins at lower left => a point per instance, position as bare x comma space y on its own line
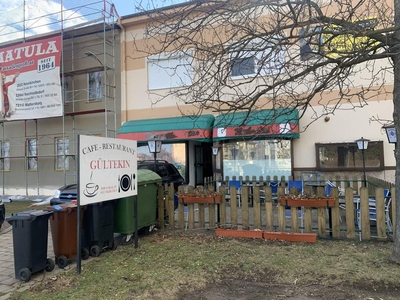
8, 283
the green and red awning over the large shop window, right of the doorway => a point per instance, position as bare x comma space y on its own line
271, 123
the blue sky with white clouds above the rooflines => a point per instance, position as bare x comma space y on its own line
43, 16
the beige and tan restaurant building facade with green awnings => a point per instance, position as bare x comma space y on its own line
259, 145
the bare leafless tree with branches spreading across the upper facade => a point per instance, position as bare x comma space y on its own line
267, 54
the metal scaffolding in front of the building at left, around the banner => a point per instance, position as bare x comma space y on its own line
38, 155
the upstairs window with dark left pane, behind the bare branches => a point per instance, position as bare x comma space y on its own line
259, 57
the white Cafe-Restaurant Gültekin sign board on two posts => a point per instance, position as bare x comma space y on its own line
107, 169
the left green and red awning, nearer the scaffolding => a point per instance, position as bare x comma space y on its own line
175, 129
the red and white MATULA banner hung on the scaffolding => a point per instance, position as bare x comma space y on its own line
30, 77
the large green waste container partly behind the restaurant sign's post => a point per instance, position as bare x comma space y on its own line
124, 221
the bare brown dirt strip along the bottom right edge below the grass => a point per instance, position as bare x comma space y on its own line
249, 290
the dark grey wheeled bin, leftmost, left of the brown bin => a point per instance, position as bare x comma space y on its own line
30, 236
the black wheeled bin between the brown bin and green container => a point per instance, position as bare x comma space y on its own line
98, 227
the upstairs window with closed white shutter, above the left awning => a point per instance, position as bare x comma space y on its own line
170, 70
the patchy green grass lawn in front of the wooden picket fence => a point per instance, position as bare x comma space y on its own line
167, 264
